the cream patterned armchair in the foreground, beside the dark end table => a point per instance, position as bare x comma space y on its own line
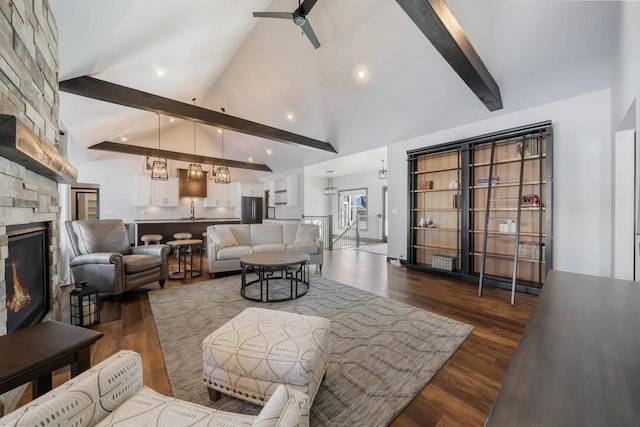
112, 394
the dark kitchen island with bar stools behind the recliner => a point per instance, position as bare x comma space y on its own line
167, 227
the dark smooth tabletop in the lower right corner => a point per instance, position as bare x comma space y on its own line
578, 362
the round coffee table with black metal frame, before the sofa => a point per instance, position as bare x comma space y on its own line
292, 266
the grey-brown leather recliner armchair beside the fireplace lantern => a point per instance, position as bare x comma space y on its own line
102, 255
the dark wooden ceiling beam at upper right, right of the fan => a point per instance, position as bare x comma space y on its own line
437, 23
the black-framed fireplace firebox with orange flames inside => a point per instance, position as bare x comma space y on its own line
27, 275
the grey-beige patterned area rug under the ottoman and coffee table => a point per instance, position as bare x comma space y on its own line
383, 352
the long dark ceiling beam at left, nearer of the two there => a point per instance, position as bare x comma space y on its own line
122, 95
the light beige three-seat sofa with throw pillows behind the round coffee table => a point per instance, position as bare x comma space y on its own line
224, 255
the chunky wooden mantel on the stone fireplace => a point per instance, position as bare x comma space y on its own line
22, 146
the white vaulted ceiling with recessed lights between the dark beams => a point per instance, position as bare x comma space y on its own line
267, 71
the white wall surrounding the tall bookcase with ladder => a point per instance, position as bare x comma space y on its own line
582, 178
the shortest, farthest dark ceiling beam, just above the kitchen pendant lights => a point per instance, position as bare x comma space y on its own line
174, 155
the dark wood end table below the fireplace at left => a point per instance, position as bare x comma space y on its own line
33, 353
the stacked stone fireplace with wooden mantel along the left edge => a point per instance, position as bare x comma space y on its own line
30, 165
